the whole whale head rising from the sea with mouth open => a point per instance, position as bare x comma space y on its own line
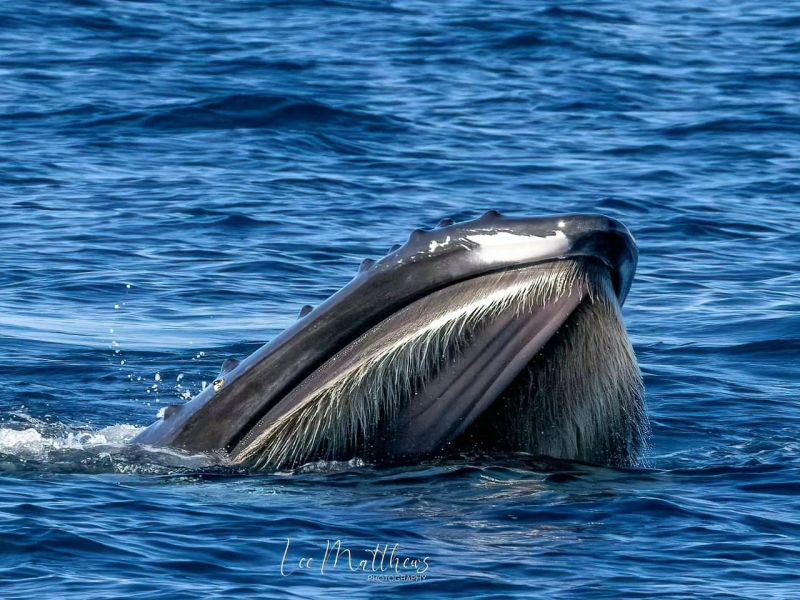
493, 336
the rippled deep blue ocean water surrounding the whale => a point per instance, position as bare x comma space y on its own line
178, 178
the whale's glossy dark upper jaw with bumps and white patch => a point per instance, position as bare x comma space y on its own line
431, 260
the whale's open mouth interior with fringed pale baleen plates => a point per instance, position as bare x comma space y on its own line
533, 359
